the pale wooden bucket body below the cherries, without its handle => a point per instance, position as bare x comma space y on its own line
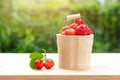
74, 51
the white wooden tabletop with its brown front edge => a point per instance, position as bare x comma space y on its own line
105, 66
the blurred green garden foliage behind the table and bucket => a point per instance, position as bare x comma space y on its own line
30, 25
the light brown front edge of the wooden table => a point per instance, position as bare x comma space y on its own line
62, 77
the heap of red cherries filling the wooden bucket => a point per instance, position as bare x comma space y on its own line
76, 28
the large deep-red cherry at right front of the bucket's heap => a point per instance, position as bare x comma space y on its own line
82, 30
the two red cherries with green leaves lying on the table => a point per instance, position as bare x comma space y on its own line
38, 61
